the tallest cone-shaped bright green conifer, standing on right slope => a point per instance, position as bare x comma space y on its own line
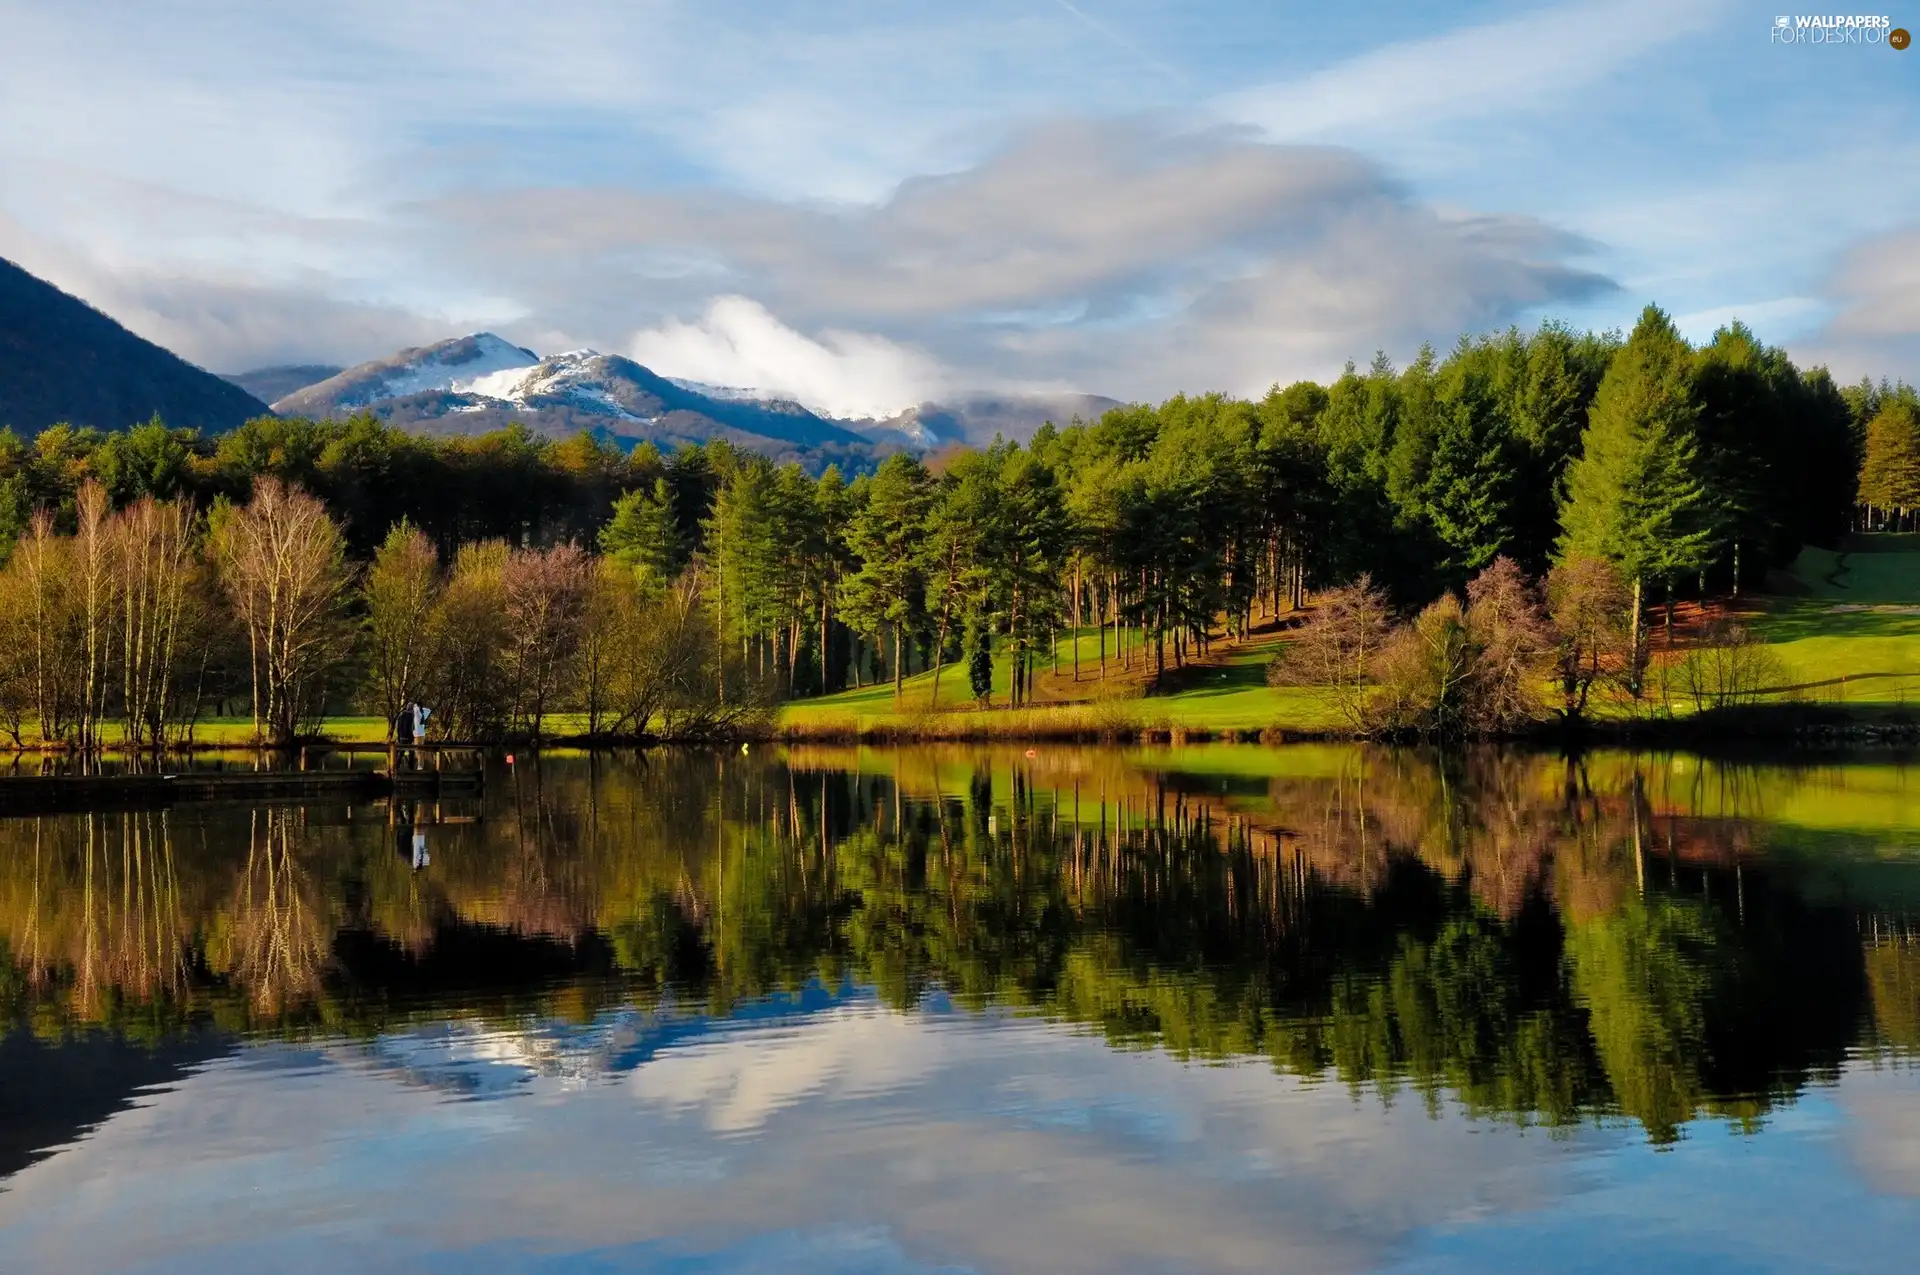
1639, 496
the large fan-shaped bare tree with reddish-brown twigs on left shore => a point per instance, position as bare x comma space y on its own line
283, 565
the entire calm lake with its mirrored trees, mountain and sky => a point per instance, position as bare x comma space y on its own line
1212, 1009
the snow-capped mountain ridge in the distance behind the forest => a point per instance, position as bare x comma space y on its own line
481, 383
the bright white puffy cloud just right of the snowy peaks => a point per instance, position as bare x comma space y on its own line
738, 343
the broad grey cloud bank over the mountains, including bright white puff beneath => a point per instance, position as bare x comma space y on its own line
1124, 258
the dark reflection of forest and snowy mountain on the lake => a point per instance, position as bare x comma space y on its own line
1533, 940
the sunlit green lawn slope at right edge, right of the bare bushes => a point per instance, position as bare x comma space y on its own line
1850, 629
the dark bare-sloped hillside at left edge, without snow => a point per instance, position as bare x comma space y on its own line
62, 360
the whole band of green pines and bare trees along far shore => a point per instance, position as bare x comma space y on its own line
1489, 537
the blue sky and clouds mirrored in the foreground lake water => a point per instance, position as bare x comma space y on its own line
861, 1140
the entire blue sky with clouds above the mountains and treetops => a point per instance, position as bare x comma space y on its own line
867, 204
